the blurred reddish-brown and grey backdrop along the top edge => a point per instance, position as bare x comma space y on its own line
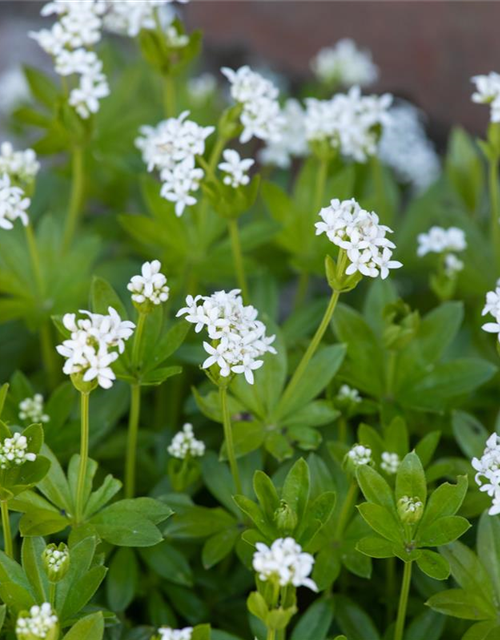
427, 50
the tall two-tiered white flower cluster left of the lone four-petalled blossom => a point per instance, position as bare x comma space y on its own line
171, 148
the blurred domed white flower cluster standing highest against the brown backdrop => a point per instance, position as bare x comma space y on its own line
345, 64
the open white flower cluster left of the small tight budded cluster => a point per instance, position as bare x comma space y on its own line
95, 343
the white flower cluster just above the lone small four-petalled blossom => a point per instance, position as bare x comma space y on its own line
261, 115
